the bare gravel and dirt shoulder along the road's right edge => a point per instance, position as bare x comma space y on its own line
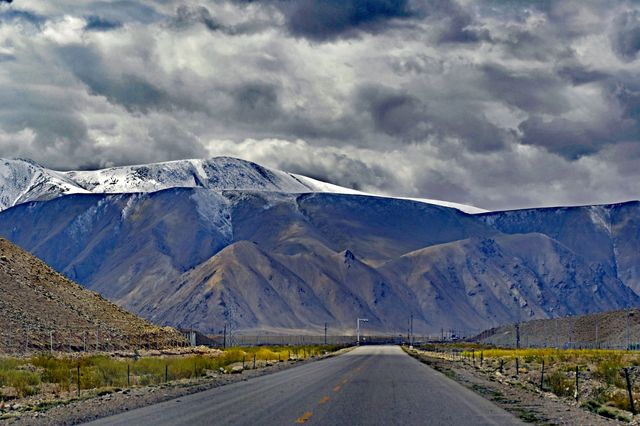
528, 403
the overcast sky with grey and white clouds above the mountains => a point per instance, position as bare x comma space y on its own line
499, 104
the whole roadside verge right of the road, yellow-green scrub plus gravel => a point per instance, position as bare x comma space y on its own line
495, 374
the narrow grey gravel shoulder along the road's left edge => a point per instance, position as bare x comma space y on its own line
77, 411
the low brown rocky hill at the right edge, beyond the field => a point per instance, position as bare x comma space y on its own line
612, 329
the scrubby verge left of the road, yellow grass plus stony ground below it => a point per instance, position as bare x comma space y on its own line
42, 382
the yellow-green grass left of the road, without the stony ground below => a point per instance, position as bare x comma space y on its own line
51, 376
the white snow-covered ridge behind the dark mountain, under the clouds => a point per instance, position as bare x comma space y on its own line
23, 181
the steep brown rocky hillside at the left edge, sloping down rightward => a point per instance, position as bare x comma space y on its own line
41, 308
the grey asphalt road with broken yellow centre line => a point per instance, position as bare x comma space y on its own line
371, 385
